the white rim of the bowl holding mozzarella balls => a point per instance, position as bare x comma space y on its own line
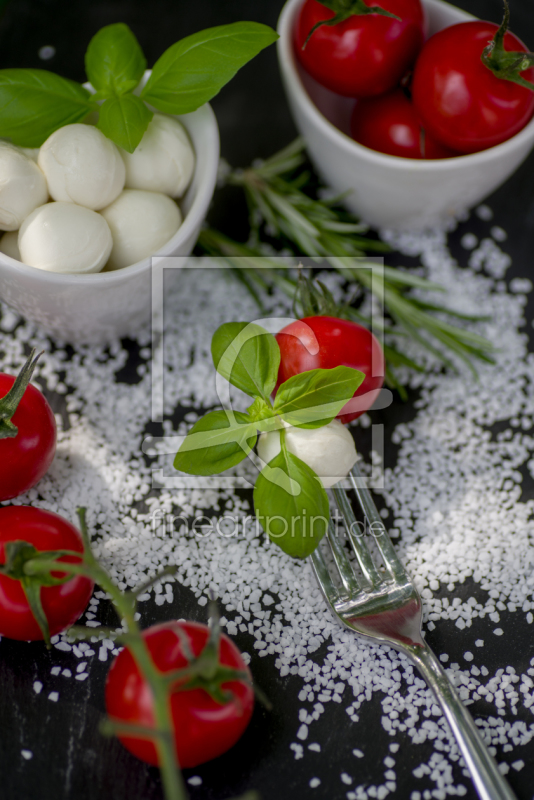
198, 210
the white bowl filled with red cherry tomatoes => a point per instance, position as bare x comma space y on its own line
391, 119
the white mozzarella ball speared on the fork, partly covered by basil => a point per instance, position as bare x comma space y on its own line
330, 451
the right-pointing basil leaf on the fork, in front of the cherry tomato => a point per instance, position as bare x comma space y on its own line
314, 398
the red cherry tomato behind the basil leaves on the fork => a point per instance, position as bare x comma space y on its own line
328, 342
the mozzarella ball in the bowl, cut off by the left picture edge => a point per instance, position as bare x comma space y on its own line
22, 187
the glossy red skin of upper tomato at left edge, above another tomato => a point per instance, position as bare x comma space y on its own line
25, 458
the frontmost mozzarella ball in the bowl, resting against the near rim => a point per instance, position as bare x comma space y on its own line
64, 237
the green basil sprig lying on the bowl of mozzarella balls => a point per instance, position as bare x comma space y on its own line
34, 102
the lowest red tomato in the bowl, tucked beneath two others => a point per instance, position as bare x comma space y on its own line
390, 124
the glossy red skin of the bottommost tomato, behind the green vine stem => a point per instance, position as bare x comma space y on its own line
204, 729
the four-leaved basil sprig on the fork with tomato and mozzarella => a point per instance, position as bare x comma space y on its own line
289, 498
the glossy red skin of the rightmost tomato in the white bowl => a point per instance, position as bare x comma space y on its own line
460, 101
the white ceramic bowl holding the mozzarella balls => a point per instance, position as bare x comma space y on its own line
97, 308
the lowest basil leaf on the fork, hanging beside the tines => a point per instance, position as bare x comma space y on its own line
291, 504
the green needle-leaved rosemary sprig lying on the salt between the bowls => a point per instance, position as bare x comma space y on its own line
286, 215
